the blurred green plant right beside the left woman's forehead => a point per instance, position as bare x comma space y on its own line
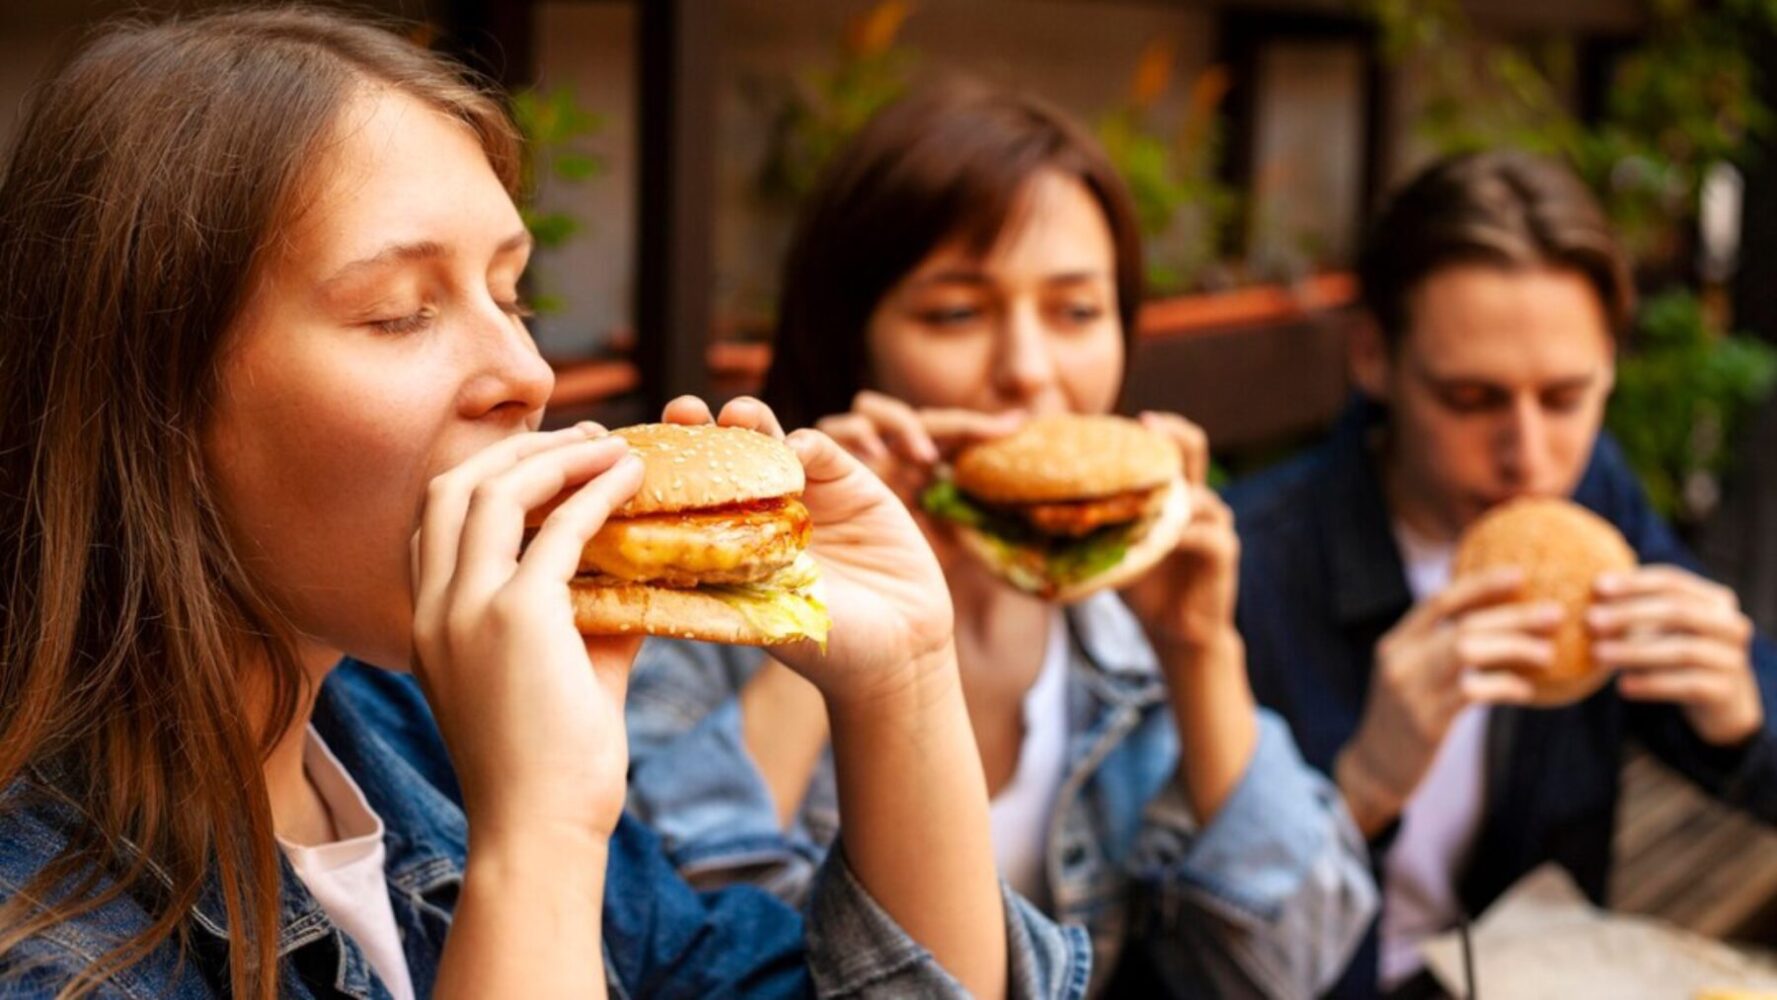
555, 131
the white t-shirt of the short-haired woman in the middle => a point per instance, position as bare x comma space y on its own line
1019, 816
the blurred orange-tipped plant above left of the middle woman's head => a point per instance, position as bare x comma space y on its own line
825, 107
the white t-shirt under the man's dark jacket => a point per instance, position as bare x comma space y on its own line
1444, 816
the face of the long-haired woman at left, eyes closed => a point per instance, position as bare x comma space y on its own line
381, 347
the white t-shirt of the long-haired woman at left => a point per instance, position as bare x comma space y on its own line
346, 877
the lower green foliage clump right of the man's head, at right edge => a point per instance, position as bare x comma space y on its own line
1682, 401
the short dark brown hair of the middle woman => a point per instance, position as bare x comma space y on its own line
946, 163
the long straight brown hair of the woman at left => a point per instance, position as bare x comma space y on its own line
145, 186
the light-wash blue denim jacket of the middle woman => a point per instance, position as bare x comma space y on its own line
1268, 901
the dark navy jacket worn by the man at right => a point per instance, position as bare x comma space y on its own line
1321, 582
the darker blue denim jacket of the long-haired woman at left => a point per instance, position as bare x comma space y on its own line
662, 939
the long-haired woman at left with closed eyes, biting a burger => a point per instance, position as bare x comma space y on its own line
267, 399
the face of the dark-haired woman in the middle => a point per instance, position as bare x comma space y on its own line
1032, 324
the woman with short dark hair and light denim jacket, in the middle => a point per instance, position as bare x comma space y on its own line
971, 260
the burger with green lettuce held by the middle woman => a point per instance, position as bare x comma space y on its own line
1067, 505
